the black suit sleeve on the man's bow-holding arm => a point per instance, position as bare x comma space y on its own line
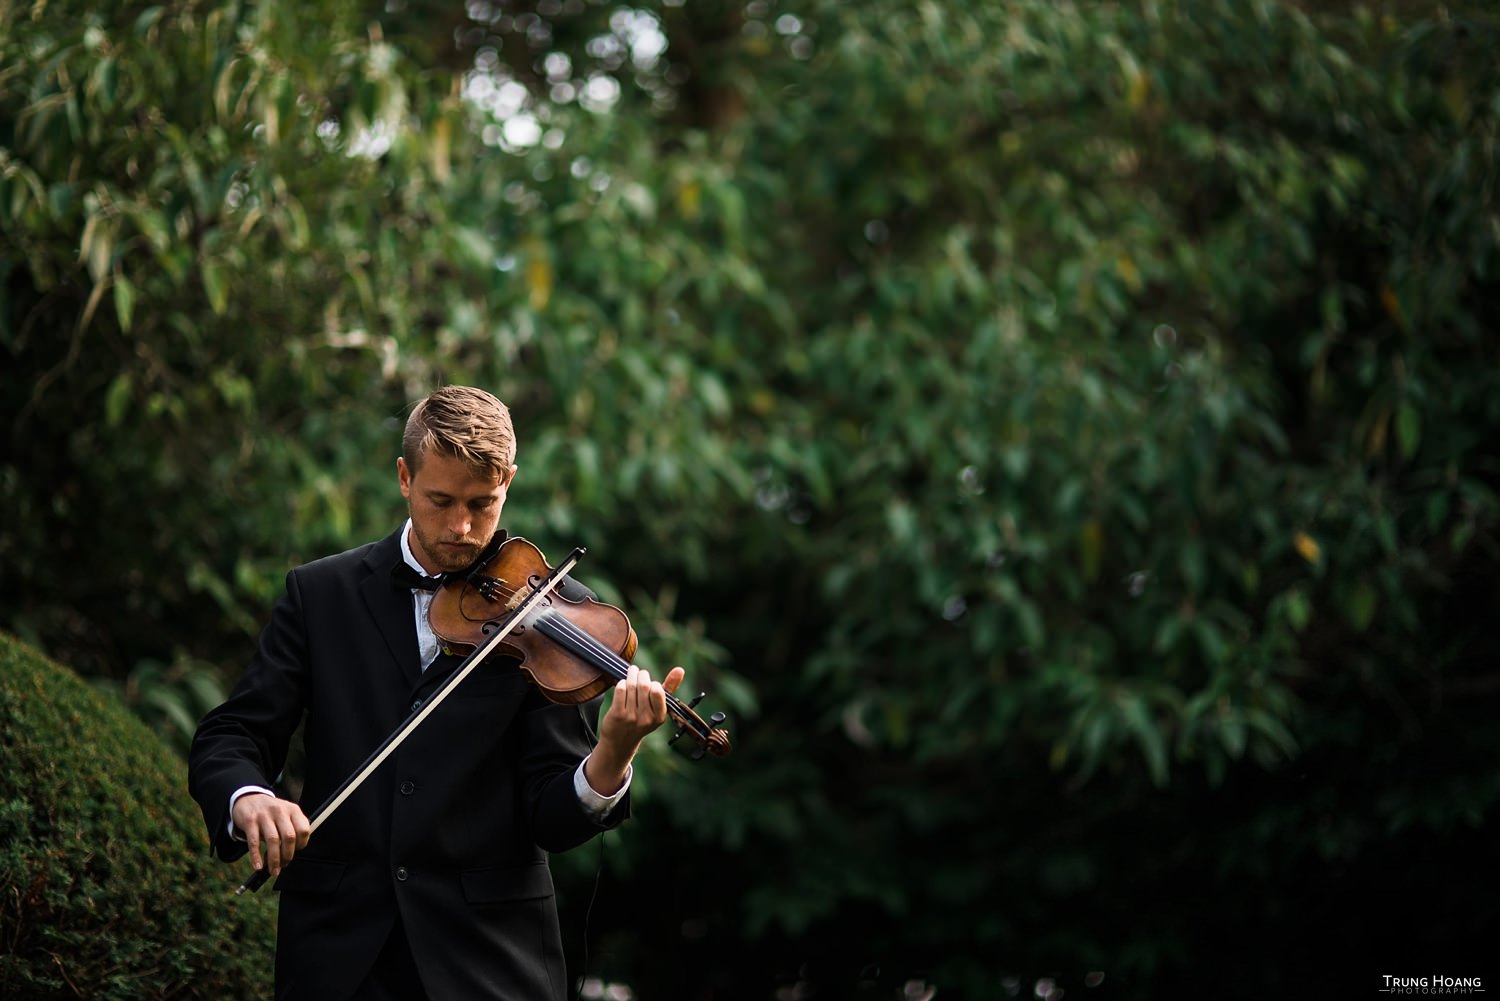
244, 742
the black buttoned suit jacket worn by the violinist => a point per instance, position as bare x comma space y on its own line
451, 834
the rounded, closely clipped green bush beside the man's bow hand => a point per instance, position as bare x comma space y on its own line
107, 889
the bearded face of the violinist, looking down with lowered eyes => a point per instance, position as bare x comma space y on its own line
454, 513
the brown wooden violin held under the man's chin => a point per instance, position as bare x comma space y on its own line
572, 649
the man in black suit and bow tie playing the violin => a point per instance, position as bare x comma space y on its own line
431, 880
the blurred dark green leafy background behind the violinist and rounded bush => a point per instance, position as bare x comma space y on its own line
1064, 437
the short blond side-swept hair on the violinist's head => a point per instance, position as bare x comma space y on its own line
461, 422
